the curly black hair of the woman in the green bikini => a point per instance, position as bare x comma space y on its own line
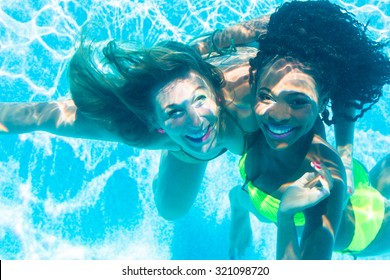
353, 68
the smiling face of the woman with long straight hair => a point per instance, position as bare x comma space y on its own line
187, 110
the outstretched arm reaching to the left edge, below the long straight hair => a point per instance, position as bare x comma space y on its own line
64, 119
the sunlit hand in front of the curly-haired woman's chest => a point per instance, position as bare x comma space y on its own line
307, 191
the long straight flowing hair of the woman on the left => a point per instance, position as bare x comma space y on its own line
112, 83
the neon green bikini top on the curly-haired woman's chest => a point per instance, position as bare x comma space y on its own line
265, 204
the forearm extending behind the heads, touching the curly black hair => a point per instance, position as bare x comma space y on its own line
241, 33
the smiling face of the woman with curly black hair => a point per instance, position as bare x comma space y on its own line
287, 103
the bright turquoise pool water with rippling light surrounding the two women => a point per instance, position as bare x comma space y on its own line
63, 198
